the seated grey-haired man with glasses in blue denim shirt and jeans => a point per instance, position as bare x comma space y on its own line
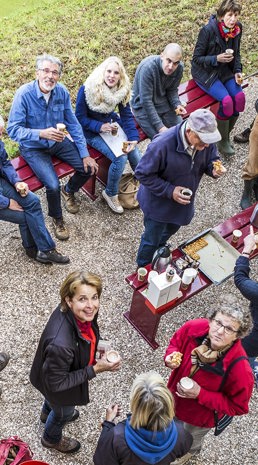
37, 108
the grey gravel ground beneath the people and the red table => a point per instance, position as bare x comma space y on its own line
105, 243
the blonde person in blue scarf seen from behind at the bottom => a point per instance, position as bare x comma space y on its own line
149, 435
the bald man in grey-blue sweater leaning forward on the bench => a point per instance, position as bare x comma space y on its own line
155, 102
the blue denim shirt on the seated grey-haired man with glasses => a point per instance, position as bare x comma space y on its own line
30, 113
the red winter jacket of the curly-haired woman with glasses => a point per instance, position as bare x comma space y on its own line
237, 390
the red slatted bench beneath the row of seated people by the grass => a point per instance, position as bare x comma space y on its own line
189, 93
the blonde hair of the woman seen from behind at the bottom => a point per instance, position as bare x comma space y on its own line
151, 402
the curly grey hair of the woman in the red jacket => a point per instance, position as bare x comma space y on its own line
228, 305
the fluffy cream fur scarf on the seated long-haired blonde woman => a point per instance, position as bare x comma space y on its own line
111, 97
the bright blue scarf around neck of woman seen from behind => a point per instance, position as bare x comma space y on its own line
151, 447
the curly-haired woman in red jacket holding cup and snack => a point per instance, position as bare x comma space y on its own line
221, 379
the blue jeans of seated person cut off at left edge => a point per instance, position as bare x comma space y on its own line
31, 221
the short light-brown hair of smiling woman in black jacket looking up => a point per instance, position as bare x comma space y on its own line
76, 279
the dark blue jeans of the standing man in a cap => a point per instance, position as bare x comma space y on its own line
155, 235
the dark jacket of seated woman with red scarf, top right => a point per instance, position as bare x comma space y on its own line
205, 67
